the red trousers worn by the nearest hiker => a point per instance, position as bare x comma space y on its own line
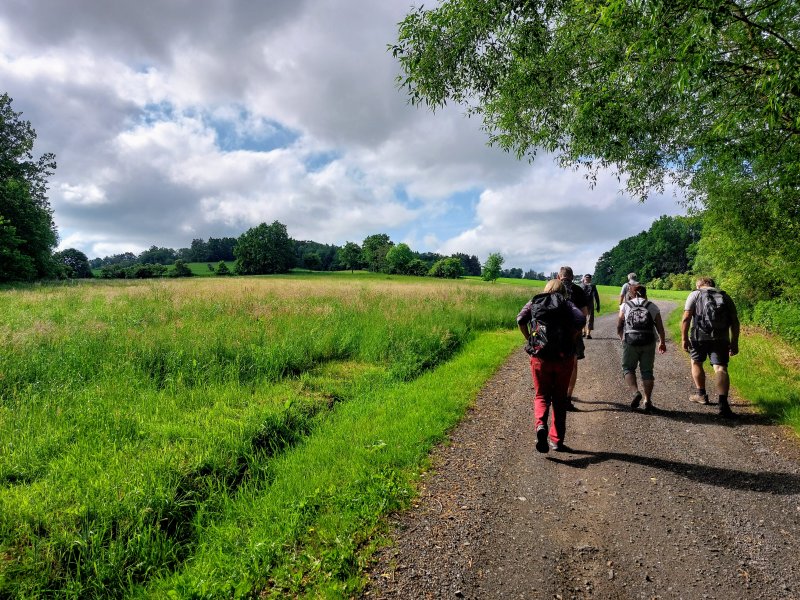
551, 380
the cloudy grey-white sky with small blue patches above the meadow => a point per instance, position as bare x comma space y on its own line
181, 119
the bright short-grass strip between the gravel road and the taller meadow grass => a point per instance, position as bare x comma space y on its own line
311, 531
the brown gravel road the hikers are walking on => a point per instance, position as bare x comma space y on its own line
675, 504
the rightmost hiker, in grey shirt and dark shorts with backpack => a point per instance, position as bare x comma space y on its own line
714, 335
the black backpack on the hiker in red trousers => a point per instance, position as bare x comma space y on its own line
551, 328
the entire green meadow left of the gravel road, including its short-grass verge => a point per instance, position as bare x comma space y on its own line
219, 437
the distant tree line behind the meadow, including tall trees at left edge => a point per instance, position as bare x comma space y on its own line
28, 236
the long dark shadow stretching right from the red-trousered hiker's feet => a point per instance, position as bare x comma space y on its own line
764, 481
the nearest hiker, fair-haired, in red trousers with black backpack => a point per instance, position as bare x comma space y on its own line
551, 326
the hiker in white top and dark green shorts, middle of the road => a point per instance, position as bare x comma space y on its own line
638, 323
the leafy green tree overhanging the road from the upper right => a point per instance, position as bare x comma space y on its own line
702, 93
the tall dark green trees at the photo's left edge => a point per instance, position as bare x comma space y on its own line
29, 234
